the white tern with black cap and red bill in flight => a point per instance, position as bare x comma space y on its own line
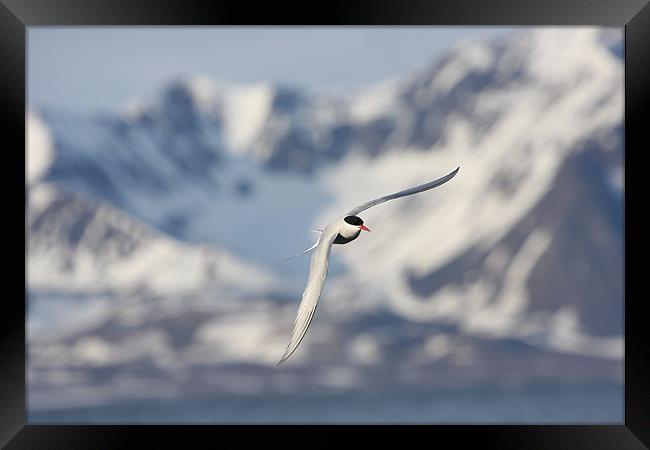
342, 231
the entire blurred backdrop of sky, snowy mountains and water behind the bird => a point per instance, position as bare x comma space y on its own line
171, 170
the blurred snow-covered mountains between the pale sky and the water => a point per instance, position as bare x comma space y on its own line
170, 220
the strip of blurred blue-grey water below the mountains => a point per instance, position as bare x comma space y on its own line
551, 404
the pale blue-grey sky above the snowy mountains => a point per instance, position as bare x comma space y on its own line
103, 67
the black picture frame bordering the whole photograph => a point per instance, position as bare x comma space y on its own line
633, 15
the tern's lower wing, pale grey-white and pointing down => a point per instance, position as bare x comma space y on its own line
317, 274
